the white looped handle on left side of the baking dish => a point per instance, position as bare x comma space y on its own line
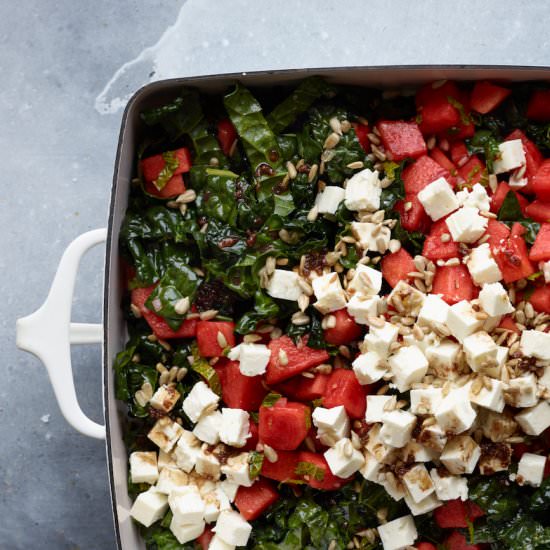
48, 333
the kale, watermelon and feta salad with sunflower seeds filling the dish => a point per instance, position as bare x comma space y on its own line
338, 311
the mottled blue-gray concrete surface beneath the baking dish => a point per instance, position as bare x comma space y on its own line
56, 159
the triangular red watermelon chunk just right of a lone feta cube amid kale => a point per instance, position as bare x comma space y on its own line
299, 358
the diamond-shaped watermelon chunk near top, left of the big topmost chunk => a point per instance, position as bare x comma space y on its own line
401, 139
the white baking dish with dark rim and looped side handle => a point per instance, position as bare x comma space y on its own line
48, 333
